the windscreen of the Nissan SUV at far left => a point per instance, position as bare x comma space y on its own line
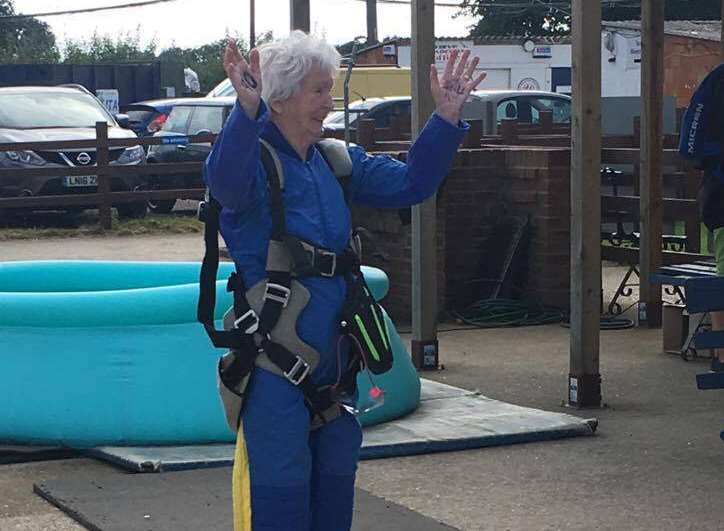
33, 110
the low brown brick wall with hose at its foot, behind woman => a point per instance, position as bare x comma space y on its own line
484, 187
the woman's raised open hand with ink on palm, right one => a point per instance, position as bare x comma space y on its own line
451, 92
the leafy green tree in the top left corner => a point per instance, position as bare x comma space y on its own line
25, 40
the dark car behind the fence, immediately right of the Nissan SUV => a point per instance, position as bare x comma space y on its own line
189, 116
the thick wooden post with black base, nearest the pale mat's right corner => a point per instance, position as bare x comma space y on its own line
584, 380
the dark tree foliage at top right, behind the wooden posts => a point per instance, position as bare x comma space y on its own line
552, 17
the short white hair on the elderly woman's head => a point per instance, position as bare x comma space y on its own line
286, 62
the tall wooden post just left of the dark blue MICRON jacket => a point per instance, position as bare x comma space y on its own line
651, 211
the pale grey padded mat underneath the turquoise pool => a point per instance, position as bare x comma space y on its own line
448, 419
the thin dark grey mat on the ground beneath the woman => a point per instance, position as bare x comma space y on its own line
197, 499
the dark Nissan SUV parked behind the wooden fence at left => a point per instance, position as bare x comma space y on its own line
37, 114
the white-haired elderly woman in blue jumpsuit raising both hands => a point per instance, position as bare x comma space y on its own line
291, 473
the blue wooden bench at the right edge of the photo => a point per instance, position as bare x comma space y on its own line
703, 295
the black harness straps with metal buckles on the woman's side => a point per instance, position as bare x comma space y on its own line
251, 332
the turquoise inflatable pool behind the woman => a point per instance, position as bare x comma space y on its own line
95, 353
